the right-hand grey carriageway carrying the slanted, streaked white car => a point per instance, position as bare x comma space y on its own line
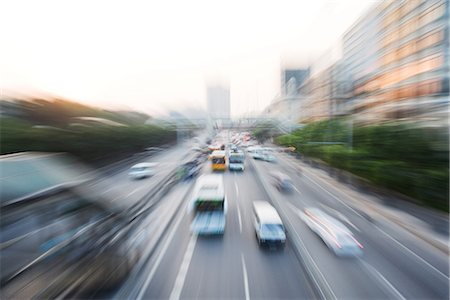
395, 264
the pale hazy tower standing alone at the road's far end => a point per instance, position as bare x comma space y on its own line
218, 102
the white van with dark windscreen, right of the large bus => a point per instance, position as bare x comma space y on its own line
269, 228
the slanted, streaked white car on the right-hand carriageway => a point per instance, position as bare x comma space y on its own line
334, 234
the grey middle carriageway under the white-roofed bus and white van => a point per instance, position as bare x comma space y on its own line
229, 266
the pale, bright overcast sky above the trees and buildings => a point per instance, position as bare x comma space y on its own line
158, 55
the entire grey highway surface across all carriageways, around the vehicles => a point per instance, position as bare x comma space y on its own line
176, 264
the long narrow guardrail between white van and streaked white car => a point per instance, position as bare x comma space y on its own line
316, 277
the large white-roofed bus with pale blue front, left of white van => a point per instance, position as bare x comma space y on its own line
208, 205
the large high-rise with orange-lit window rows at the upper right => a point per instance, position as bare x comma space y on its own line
397, 59
